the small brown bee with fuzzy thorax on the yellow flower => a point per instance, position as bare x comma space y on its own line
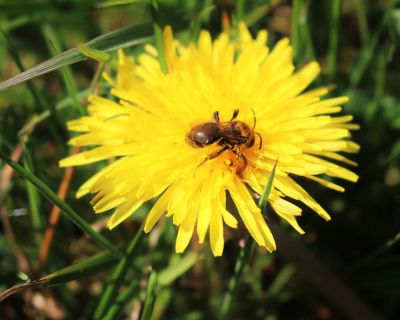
233, 135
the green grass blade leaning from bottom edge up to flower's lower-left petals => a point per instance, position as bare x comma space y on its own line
118, 276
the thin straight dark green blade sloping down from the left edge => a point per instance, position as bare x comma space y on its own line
65, 208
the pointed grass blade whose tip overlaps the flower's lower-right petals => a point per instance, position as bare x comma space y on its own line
245, 255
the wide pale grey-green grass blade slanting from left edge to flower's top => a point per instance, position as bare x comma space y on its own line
121, 38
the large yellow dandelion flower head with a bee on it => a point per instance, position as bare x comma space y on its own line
214, 124
